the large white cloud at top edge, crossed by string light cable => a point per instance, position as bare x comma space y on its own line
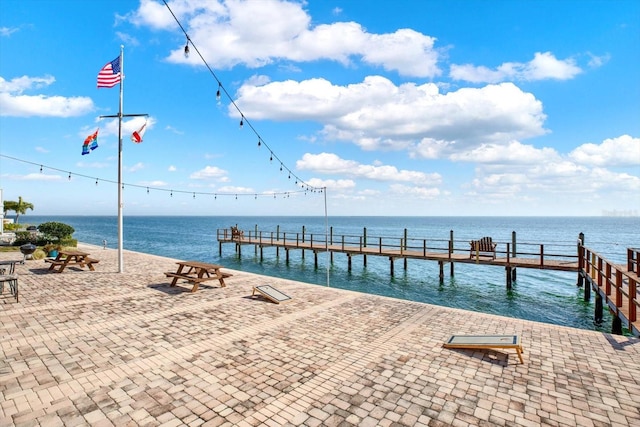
257, 33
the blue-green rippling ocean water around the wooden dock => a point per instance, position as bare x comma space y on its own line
538, 295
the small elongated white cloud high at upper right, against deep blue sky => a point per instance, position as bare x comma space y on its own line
543, 66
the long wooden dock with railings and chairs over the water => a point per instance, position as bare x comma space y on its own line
614, 285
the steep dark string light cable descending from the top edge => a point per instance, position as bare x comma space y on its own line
243, 118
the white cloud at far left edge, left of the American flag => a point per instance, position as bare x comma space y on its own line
14, 103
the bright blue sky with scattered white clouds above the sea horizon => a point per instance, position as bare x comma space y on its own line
409, 107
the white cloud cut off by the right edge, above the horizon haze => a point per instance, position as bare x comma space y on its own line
621, 151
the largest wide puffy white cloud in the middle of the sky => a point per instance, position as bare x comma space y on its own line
377, 114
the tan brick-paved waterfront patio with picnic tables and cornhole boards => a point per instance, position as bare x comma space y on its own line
102, 348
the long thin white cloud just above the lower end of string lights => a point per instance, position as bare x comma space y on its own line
328, 163
